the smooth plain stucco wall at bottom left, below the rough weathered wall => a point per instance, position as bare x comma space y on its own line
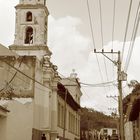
18, 123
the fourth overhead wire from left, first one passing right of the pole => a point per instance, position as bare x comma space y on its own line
126, 29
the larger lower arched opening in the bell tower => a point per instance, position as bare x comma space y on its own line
29, 35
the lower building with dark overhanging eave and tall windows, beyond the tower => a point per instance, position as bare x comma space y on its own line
68, 107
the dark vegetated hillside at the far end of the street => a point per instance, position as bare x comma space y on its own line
91, 119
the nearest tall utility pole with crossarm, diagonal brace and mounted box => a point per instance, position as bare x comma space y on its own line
121, 77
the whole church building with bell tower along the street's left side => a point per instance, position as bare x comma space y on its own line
38, 100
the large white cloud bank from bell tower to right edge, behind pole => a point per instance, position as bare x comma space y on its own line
73, 50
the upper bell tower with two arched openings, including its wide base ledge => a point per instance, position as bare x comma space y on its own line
31, 27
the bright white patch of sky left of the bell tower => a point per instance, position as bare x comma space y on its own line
7, 21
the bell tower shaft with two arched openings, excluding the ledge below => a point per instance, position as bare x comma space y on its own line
31, 23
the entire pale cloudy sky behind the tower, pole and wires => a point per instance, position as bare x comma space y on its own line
69, 39
